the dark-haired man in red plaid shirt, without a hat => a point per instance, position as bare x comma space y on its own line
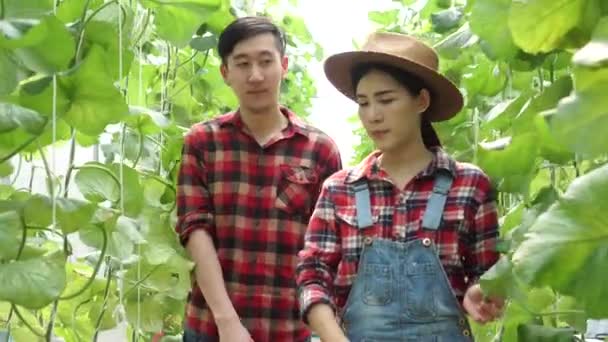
247, 186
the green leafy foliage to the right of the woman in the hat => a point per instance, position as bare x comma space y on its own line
534, 73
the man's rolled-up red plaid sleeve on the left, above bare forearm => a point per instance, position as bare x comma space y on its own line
194, 210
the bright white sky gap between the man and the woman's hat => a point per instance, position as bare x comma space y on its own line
334, 24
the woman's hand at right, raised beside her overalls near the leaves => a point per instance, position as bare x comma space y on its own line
482, 309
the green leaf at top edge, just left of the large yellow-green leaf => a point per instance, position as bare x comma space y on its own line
489, 20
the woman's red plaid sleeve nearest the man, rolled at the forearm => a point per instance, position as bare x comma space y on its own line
317, 262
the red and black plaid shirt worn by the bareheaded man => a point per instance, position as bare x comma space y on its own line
255, 202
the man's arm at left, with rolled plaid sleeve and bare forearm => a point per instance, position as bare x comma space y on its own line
196, 231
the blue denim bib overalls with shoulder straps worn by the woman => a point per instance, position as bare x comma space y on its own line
401, 292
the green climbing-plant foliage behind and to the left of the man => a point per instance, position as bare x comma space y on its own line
127, 78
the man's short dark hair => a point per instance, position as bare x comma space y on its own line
245, 28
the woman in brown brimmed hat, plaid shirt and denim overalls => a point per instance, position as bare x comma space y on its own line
395, 245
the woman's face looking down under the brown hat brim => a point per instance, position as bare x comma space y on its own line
389, 112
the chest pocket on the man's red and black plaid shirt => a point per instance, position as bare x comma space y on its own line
296, 189
